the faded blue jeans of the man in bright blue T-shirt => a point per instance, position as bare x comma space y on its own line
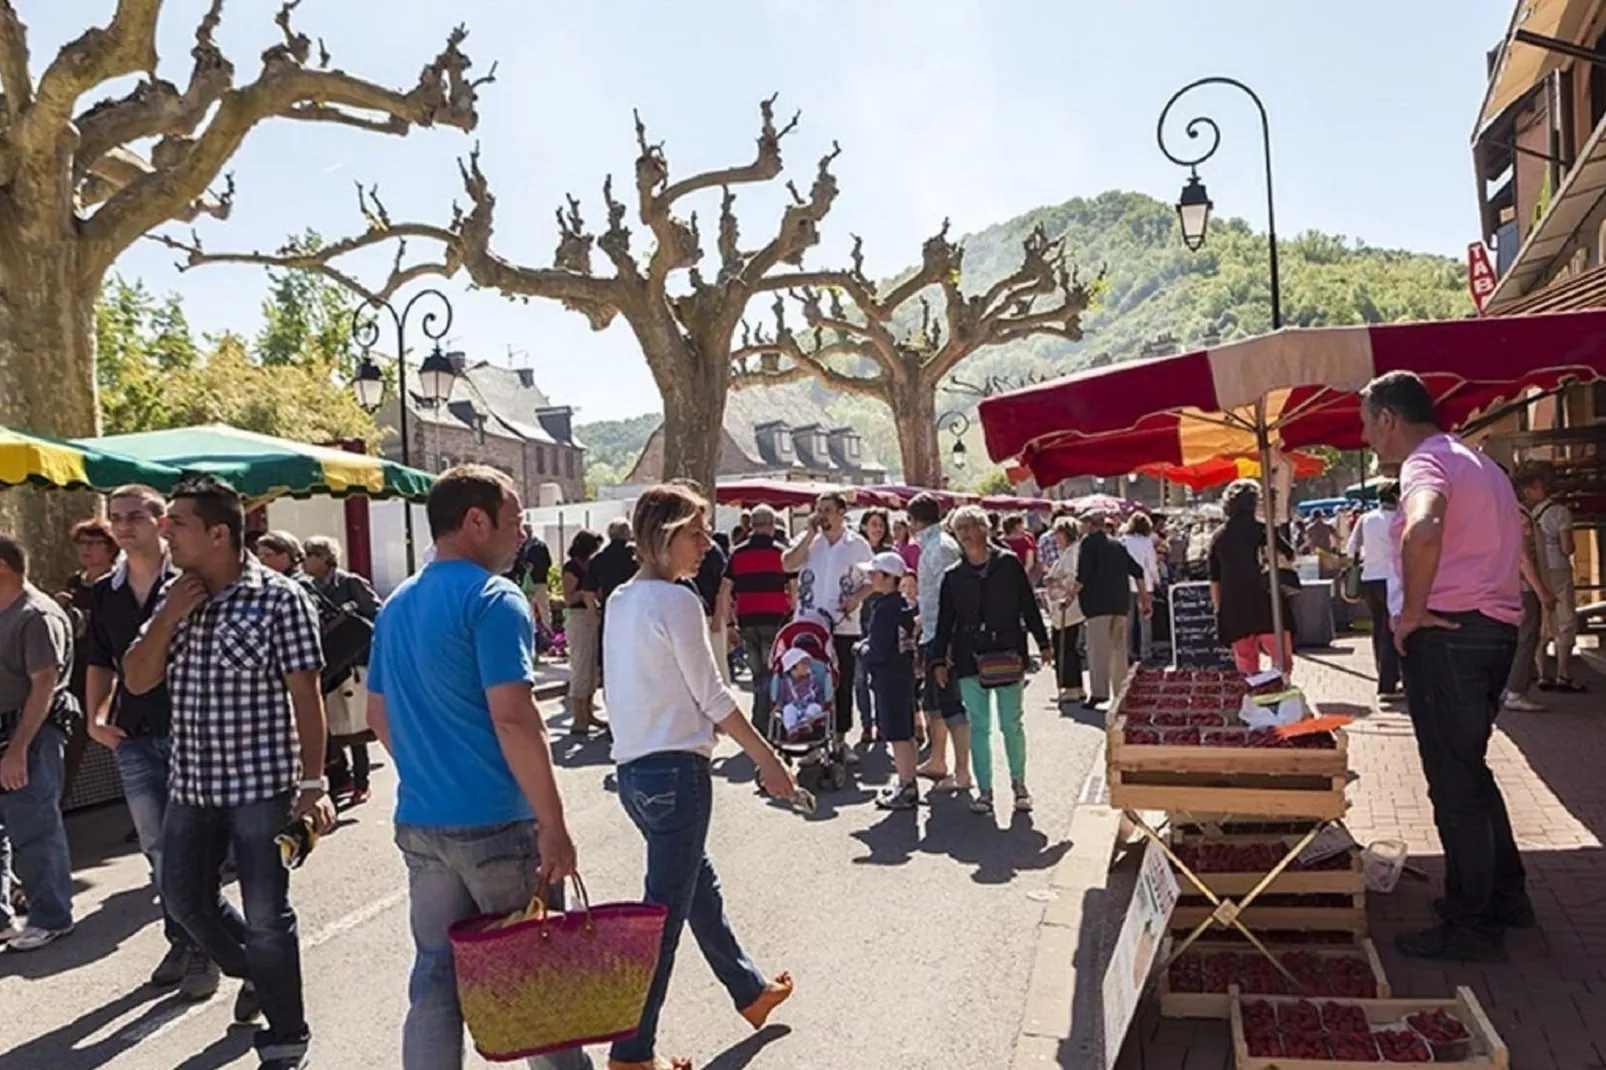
457, 873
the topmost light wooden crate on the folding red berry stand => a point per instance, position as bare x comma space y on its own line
1262, 782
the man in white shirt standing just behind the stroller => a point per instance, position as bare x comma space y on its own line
831, 566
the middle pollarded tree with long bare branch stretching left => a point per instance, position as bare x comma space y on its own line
685, 319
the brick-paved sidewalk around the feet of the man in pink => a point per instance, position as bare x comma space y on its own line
1549, 1000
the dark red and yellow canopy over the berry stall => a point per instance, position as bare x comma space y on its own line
1297, 386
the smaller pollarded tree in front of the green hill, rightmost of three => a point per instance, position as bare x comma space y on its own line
871, 346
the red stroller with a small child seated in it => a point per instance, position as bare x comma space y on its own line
802, 690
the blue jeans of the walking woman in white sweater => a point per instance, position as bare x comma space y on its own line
669, 796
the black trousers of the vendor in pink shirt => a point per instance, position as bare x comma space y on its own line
1453, 685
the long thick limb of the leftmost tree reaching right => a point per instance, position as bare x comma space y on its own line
444, 96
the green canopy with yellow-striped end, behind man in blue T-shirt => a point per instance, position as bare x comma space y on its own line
263, 467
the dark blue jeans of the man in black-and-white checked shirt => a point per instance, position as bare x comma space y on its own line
264, 945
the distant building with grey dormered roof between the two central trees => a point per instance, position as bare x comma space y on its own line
778, 433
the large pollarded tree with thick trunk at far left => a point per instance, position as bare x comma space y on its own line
75, 194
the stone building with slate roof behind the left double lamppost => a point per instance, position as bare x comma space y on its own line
495, 417
